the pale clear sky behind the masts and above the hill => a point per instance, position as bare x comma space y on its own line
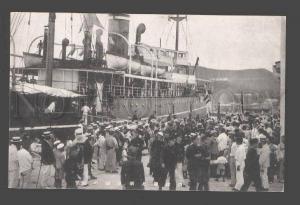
220, 42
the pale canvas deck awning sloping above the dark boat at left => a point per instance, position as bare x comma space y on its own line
28, 88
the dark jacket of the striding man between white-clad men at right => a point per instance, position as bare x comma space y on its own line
252, 162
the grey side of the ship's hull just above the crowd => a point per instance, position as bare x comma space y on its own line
125, 108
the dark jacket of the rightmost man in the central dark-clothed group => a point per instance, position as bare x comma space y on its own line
197, 162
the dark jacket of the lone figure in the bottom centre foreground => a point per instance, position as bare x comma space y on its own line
132, 171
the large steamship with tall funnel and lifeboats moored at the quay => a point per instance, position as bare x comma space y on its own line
125, 80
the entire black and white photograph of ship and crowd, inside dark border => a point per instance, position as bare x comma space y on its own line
152, 102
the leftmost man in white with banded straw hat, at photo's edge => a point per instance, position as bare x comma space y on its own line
13, 163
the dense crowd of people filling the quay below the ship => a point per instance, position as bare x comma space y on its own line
187, 151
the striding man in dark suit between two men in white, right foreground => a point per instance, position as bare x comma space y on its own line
252, 168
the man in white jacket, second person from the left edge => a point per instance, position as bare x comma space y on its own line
25, 164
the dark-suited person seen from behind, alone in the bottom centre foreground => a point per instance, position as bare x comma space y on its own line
132, 172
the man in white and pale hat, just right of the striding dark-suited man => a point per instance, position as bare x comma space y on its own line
264, 162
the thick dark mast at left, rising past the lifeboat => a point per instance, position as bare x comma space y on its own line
50, 49
